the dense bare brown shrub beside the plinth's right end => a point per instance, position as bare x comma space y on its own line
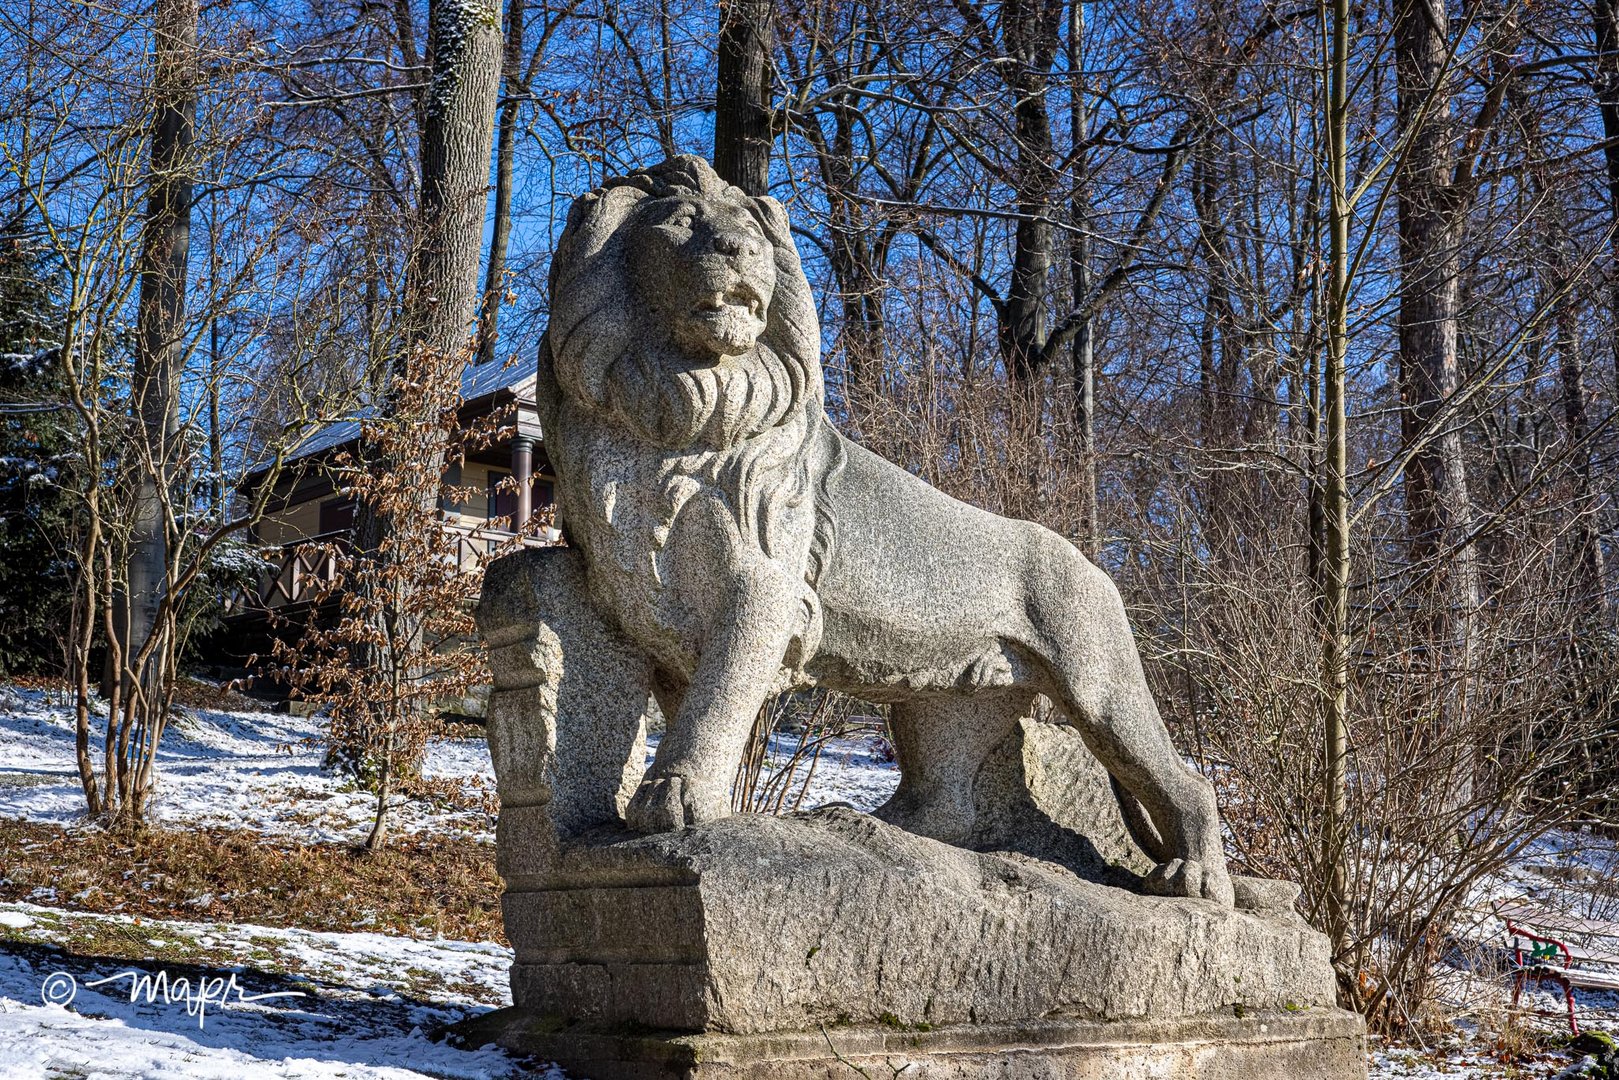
1440, 799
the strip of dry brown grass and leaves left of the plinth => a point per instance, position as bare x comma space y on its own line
419, 887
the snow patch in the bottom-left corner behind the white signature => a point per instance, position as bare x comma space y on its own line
365, 1005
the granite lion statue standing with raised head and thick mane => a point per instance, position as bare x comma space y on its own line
728, 545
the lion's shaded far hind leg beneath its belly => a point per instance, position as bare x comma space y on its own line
941, 742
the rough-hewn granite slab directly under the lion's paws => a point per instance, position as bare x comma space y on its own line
759, 925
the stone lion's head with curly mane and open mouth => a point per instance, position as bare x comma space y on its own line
681, 312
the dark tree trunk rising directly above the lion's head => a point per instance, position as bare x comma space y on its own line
742, 104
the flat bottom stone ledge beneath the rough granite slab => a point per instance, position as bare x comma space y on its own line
1311, 1045
